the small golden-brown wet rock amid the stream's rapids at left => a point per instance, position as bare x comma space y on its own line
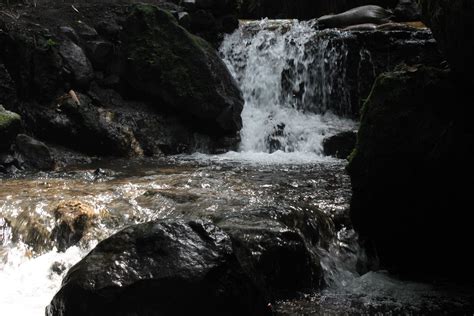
73, 220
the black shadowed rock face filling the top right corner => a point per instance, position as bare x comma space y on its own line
453, 27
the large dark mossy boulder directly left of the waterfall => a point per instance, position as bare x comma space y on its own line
180, 72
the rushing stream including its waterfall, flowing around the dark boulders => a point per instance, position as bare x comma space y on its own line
280, 164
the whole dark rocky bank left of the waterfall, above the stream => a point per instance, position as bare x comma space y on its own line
94, 79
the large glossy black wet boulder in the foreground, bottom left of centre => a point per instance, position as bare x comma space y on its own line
160, 268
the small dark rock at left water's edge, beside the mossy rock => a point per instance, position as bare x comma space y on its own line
34, 153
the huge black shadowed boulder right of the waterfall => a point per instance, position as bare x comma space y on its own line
413, 143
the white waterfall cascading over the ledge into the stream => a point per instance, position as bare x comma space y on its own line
293, 80
